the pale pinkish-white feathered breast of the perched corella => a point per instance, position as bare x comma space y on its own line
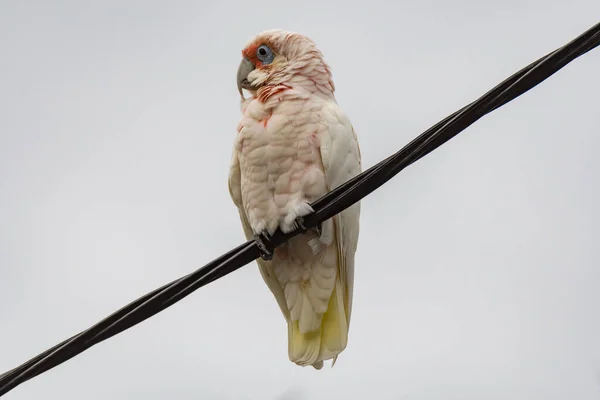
279, 156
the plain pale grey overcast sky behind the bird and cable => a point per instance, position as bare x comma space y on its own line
477, 272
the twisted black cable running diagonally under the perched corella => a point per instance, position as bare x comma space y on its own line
326, 207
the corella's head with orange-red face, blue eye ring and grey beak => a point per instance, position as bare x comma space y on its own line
276, 60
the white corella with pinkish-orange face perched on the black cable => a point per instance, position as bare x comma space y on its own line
293, 145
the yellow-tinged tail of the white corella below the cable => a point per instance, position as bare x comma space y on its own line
325, 343
